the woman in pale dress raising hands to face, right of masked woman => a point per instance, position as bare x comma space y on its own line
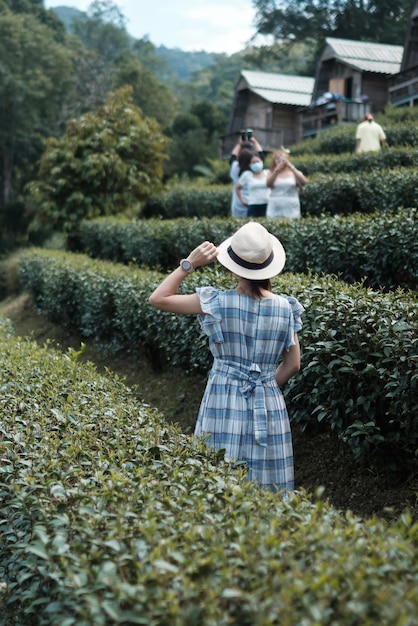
285, 182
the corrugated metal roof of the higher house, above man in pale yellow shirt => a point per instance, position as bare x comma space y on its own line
380, 58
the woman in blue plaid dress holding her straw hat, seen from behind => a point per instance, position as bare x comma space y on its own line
253, 338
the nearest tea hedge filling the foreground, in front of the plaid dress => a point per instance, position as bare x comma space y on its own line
109, 516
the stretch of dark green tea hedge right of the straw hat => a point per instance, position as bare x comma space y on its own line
381, 250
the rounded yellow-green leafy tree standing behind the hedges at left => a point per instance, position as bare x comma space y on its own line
105, 163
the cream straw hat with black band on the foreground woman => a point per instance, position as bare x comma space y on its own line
252, 253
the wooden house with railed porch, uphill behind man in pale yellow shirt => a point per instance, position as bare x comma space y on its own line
352, 78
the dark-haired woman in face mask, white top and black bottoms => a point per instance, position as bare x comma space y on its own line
254, 181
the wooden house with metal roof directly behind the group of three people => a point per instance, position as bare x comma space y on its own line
271, 105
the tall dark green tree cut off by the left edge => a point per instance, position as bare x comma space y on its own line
35, 76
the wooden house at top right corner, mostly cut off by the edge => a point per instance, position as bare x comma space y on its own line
403, 89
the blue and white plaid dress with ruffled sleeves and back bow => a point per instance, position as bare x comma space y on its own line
243, 410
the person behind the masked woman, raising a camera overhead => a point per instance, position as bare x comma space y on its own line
239, 162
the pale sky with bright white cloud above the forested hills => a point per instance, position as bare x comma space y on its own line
191, 25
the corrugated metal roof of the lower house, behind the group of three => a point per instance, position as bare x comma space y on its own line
280, 88
